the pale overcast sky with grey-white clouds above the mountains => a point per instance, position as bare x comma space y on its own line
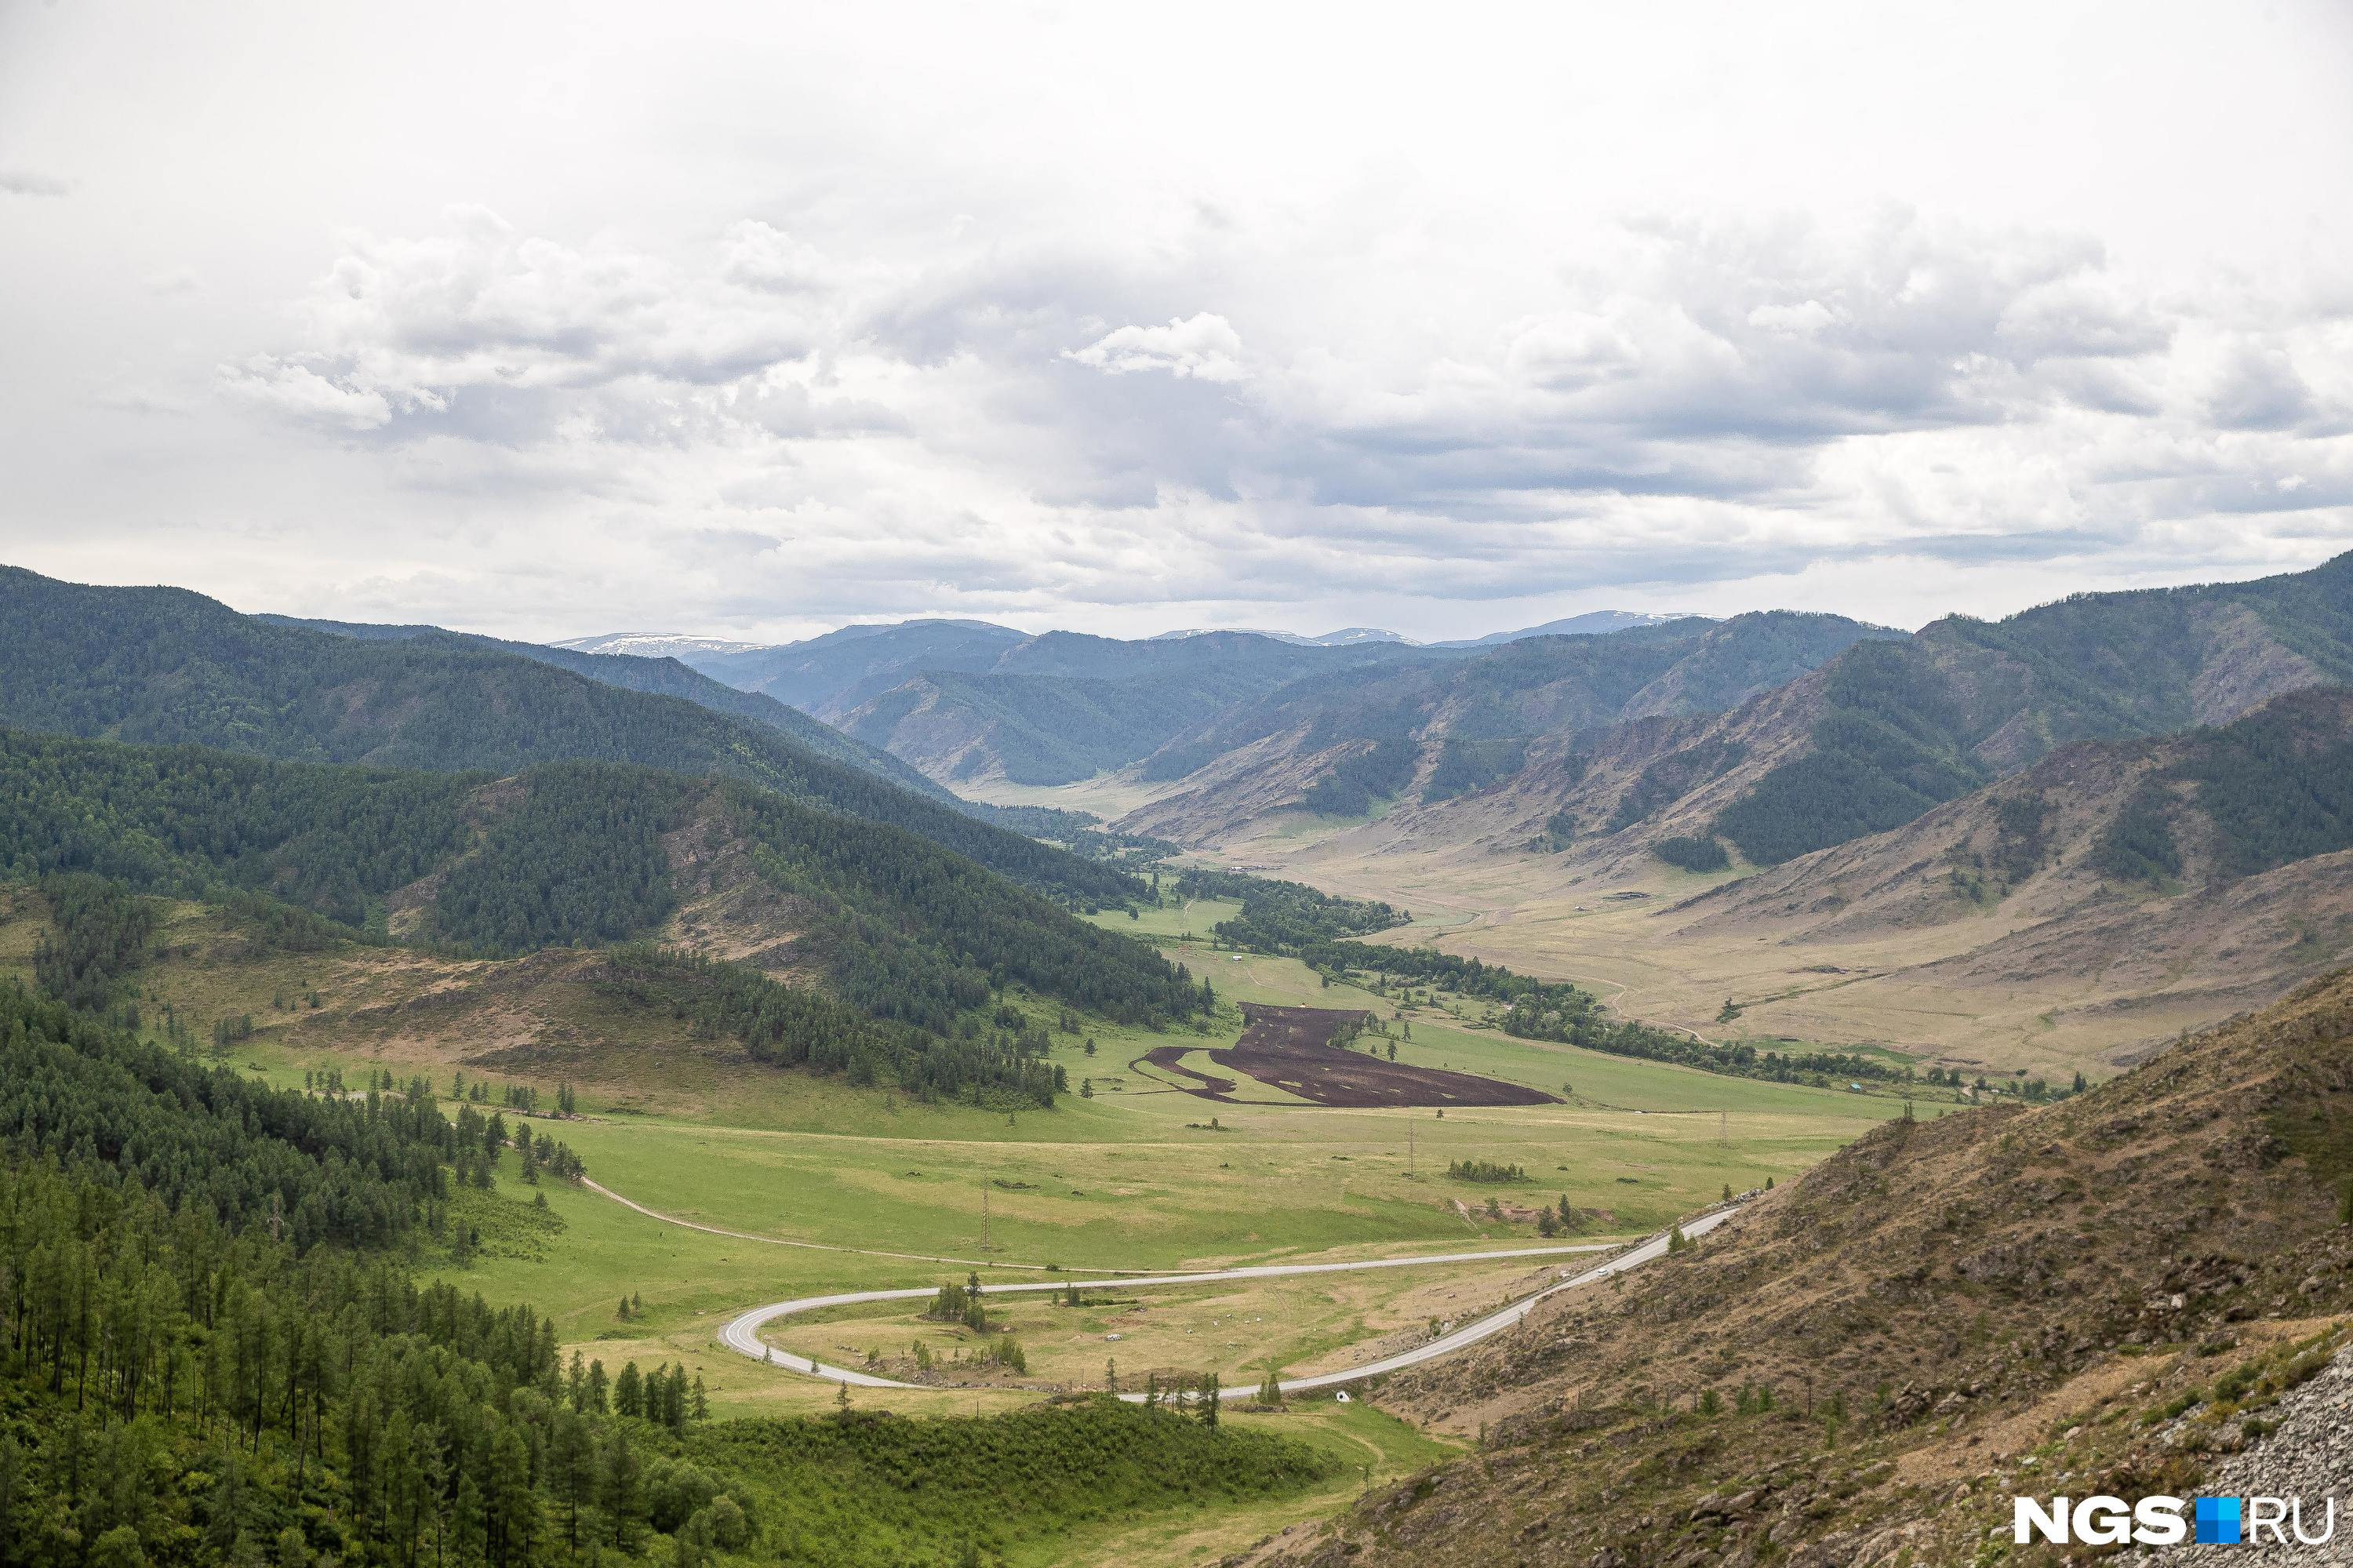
752, 321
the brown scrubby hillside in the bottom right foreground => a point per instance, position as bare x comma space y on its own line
1865, 1367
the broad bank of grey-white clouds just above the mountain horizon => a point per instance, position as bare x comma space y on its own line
1698, 401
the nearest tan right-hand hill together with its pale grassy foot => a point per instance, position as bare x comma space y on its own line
1987, 934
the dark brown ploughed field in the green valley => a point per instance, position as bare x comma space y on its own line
1293, 1049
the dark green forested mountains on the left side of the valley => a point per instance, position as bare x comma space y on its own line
404, 790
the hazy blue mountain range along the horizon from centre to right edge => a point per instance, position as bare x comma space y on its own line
1759, 740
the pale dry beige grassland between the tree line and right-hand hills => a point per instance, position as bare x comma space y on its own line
1919, 990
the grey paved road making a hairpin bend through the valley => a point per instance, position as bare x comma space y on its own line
745, 1334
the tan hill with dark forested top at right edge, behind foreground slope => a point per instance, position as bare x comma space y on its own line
2112, 882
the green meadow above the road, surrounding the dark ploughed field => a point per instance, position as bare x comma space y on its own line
1133, 1176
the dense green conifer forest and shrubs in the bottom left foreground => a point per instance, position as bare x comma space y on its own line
213, 1353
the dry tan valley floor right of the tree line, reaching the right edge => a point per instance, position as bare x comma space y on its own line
1989, 990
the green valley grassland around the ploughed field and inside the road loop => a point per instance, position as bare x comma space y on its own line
1131, 1178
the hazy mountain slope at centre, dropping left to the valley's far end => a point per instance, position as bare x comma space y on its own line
1437, 731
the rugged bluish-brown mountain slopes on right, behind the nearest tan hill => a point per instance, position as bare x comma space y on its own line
1787, 759
